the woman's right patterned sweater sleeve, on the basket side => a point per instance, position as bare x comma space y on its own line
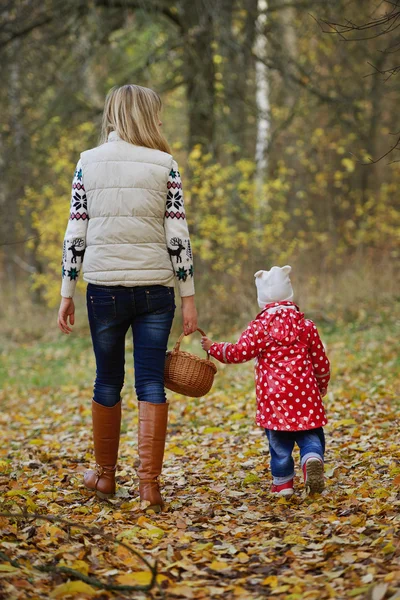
177, 234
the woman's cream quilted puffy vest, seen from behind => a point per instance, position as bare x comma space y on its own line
126, 188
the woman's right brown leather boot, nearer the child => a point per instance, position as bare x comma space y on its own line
153, 420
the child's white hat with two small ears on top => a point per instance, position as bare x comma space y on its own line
273, 285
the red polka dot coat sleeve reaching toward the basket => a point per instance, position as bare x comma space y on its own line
249, 345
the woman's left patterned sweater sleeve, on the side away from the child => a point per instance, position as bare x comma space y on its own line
75, 235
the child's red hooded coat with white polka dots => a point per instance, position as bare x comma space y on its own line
291, 370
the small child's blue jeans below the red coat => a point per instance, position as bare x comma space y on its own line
281, 444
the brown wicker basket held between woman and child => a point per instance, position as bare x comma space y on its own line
187, 373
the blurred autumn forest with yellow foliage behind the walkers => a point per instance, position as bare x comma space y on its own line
281, 114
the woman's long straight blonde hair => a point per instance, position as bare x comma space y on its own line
133, 112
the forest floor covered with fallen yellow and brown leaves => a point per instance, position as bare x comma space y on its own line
223, 535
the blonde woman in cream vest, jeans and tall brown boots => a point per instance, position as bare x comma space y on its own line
128, 230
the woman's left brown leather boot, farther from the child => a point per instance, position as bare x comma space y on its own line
106, 430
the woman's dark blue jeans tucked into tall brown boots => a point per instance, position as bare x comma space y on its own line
112, 310
